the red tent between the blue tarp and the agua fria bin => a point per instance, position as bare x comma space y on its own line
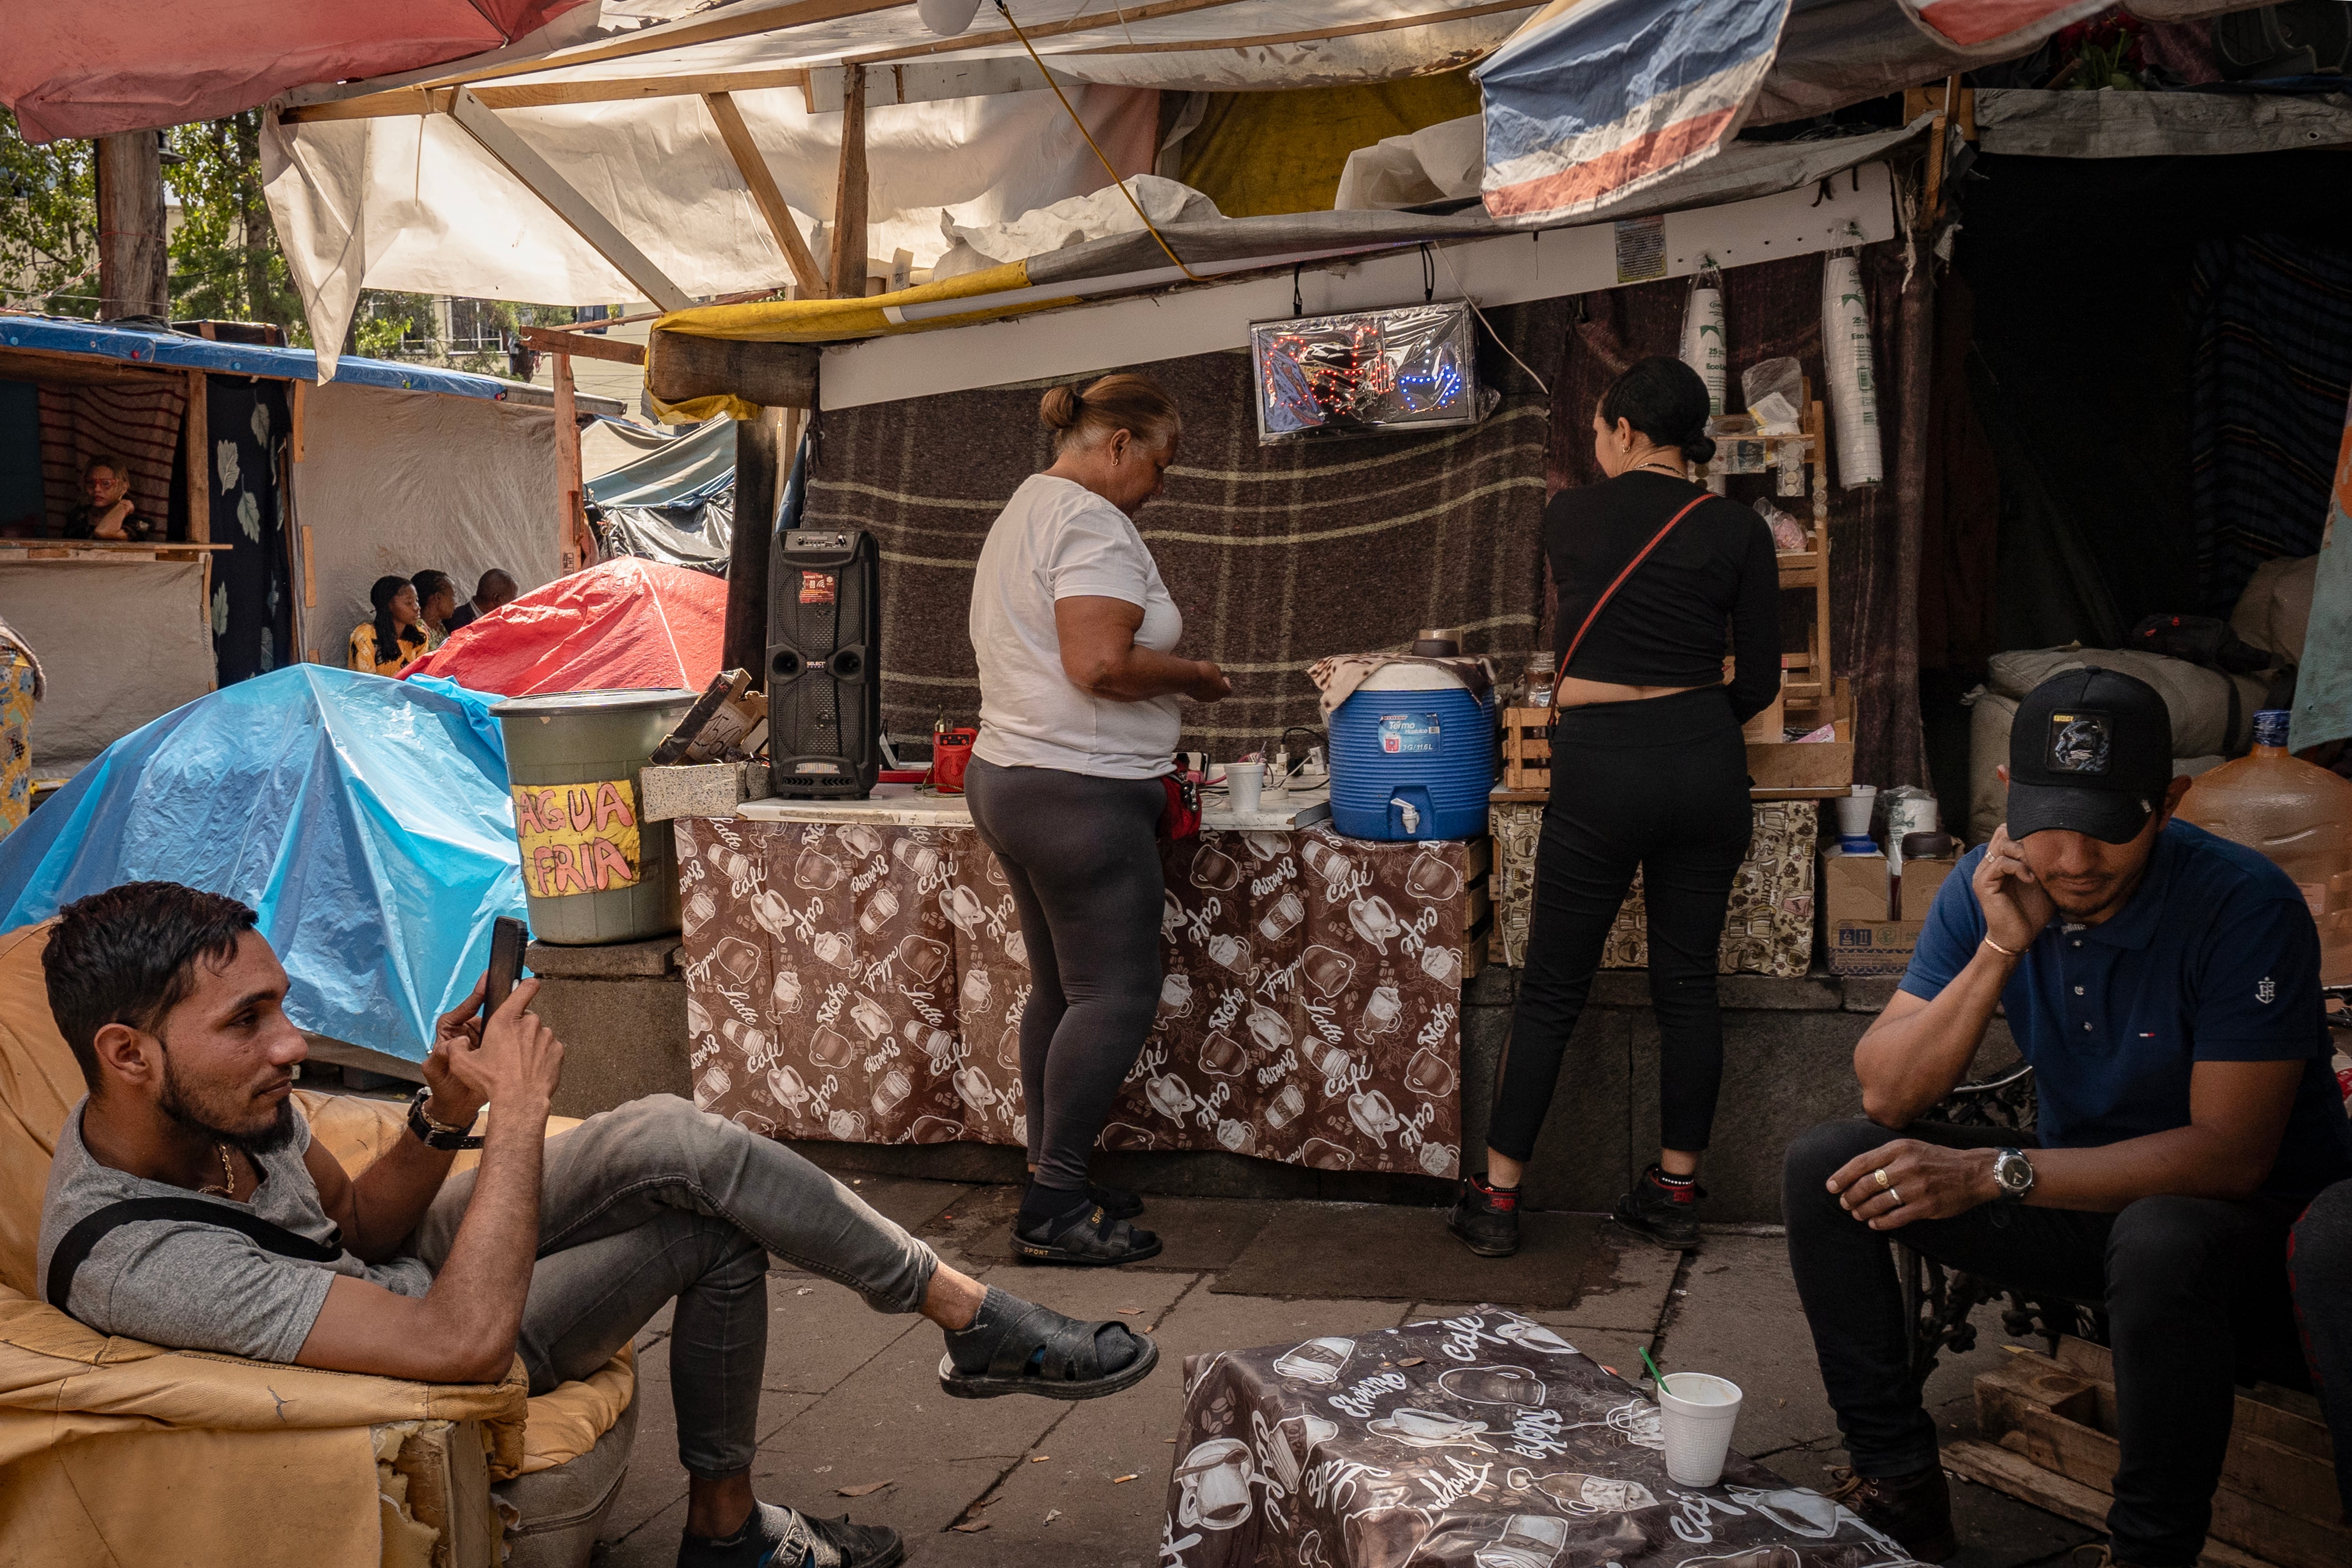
622, 624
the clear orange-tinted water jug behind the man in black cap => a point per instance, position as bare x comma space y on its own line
2297, 815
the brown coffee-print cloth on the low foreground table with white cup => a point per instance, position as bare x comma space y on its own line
1474, 1442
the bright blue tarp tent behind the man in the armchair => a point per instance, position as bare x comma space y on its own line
363, 819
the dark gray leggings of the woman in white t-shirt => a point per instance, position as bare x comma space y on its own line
1083, 862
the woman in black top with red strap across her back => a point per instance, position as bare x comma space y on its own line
1648, 772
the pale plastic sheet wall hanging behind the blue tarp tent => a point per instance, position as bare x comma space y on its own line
394, 485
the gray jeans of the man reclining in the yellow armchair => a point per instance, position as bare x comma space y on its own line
657, 1200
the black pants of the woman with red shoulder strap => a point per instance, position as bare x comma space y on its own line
1657, 786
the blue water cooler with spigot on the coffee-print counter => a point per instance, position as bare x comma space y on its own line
1412, 758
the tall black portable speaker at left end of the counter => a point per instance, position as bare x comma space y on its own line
824, 664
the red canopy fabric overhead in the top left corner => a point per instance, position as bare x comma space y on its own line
100, 67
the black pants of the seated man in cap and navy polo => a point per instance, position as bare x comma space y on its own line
2184, 1280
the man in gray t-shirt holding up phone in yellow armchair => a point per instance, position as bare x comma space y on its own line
189, 1207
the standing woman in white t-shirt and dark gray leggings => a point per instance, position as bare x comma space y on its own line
1076, 643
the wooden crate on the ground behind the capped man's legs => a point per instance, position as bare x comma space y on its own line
2050, 1440
